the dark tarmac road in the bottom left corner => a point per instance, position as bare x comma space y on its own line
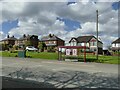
20, 83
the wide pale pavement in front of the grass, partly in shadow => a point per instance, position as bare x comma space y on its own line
60, 74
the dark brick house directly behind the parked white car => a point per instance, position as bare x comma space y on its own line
33, 39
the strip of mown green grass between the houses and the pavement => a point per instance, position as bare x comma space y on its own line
54, 56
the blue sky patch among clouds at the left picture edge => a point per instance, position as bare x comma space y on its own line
8, 25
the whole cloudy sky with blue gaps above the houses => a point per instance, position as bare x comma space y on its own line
64, 19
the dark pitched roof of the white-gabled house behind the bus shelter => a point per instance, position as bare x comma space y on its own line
82, 39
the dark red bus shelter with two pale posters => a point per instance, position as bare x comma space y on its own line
75, 51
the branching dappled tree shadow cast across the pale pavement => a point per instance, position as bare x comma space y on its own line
68, 79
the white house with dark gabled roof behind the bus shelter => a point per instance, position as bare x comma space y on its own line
90, 41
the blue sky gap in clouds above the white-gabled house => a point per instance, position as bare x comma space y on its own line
70, 24
